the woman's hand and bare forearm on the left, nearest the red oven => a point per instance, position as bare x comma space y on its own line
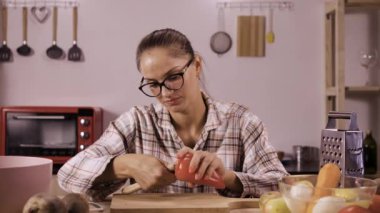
148, 171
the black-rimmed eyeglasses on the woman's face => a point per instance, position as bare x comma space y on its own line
171, 82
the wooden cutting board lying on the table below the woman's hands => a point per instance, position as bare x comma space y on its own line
182, 203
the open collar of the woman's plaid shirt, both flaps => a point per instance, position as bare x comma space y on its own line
213, 116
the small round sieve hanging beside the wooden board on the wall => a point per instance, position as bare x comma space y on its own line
220, 41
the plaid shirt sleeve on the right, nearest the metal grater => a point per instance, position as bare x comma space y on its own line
261, 169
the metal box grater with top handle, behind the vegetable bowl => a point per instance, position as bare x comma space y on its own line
343, 147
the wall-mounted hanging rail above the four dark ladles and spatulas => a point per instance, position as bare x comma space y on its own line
40, 3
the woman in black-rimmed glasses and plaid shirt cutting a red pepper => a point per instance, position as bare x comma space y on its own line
225, 139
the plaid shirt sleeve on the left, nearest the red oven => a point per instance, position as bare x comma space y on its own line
78, 174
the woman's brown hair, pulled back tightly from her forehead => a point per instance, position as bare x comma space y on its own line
175, 41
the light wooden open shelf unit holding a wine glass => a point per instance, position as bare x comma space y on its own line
336, 91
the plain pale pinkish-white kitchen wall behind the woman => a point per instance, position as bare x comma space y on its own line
285, 88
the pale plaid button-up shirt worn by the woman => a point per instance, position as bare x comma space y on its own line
235, 134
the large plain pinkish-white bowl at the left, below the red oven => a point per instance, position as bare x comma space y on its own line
22, 177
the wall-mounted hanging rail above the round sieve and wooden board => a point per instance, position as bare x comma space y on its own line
280, 5
